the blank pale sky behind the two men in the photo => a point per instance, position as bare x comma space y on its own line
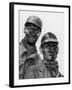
52, 22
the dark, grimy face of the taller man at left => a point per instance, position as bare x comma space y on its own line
32, 33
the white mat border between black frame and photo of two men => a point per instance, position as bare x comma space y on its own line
16, 46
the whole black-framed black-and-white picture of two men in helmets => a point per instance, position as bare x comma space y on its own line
40, 35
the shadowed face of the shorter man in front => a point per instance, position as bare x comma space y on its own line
50, 51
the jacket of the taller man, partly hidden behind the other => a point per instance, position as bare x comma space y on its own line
25, 51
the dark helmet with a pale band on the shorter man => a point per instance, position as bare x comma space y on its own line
49, 38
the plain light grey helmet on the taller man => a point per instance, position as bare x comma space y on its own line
34, 20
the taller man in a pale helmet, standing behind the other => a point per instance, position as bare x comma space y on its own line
32, 30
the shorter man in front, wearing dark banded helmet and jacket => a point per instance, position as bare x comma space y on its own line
48, 67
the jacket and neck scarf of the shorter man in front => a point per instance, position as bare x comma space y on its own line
43, 69
